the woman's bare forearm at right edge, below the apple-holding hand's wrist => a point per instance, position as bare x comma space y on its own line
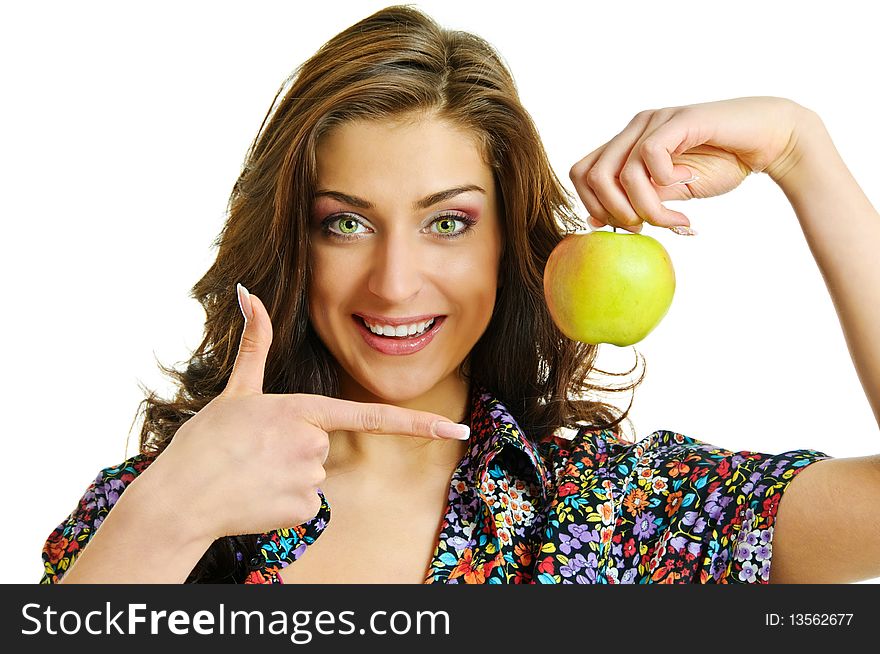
842, 229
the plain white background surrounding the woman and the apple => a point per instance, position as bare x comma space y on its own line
123, 130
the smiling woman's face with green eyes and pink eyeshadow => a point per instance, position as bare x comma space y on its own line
391, 238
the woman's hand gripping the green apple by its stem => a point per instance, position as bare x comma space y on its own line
679, 153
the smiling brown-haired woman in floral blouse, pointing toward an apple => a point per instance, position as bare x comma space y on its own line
392, 221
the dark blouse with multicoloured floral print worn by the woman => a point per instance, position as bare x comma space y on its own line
580, 507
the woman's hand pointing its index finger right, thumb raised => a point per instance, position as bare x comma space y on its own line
249, 462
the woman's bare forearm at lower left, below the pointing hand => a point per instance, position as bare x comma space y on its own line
142, 540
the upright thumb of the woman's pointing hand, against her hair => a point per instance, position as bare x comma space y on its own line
250, 362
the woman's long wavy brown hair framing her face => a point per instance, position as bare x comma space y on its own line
395, 62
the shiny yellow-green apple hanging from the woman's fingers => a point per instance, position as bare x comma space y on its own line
608, 287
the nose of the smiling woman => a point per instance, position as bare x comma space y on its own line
397, 271
